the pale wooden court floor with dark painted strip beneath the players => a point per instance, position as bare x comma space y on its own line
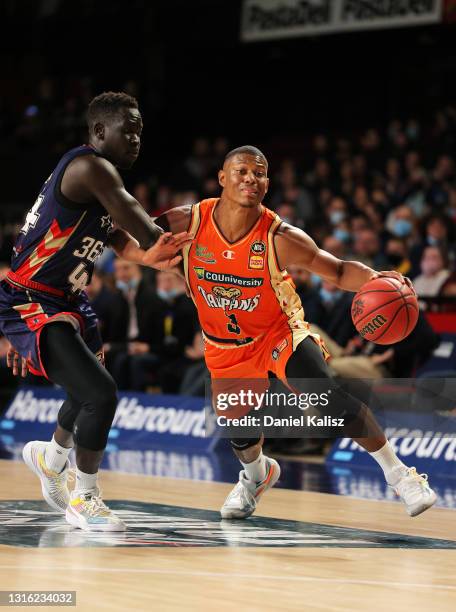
302, 551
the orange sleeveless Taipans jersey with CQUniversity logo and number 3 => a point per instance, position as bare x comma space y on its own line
240, 293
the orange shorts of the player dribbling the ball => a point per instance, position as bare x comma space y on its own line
230, 367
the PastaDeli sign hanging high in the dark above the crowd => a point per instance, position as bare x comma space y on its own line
267, 19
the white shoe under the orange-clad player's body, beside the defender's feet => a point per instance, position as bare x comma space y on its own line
243, 499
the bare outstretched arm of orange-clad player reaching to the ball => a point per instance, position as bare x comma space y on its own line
293, 246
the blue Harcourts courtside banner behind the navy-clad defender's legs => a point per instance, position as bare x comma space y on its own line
142, 420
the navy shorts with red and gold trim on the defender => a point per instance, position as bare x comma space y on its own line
24, 313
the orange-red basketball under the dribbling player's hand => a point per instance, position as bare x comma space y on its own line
385, 310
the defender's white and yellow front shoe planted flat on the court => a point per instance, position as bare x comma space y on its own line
88, 511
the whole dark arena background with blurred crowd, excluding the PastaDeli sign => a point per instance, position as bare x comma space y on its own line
368, 172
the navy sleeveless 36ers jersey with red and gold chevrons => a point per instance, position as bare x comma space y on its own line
60, 239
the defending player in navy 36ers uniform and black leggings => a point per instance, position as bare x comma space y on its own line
45, 314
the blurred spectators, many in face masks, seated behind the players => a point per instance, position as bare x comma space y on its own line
386, 197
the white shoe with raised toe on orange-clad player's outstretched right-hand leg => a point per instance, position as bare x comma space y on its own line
414, 490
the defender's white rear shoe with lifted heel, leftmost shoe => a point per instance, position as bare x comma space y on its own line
54, 485
